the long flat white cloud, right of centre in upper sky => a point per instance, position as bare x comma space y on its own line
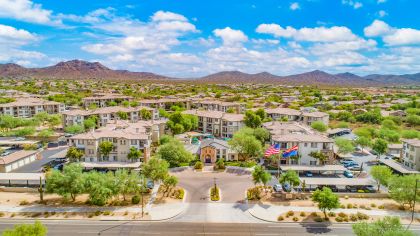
317, 34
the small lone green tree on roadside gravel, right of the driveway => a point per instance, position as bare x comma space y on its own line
326, 200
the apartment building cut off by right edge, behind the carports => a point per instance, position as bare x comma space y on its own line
411, 153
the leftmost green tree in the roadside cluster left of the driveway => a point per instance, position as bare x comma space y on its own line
68, 183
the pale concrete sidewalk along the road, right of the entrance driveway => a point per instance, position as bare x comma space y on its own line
271, 212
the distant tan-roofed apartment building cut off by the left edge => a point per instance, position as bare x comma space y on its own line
28, 107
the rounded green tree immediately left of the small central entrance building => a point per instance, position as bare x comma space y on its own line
174, 153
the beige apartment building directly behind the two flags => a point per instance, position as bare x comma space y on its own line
290, 134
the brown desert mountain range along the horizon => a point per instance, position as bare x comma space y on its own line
78, 69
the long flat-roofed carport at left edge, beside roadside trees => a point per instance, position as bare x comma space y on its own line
21, 179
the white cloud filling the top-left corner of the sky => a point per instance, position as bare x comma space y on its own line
26, 10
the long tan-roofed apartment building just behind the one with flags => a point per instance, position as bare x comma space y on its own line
306, 117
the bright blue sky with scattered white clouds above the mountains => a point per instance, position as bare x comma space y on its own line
193, 38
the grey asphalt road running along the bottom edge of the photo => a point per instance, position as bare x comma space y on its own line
71, 228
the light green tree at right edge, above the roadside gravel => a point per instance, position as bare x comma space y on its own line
401, 189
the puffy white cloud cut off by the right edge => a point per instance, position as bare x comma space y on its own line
393, 36
